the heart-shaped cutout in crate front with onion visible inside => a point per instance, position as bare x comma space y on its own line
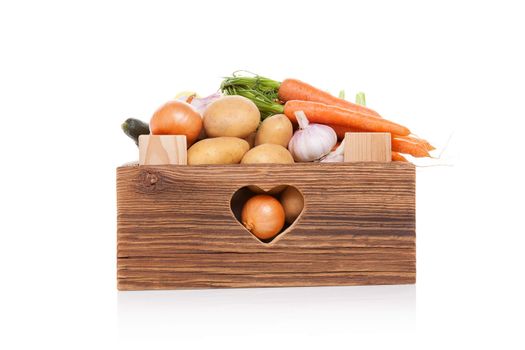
267, 215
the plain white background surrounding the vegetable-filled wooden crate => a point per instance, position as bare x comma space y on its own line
71, 72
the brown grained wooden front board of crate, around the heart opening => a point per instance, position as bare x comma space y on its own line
176, 230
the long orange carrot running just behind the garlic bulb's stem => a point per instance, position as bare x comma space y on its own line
326, 114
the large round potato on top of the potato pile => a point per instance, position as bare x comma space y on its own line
234, 116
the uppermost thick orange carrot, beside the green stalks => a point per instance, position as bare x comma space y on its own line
293, 89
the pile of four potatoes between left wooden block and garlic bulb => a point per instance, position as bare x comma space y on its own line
234, 135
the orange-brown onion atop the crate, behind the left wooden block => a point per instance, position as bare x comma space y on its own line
177, 118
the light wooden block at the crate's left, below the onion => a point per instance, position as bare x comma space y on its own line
162, 150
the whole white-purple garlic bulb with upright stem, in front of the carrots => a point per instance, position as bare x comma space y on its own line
311, 141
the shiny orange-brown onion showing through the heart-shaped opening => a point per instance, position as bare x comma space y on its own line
263, 216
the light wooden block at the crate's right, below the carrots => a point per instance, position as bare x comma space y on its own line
367, 147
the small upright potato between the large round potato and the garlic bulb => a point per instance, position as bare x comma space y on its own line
276, 129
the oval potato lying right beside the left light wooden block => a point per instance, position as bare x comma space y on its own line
219, 150
